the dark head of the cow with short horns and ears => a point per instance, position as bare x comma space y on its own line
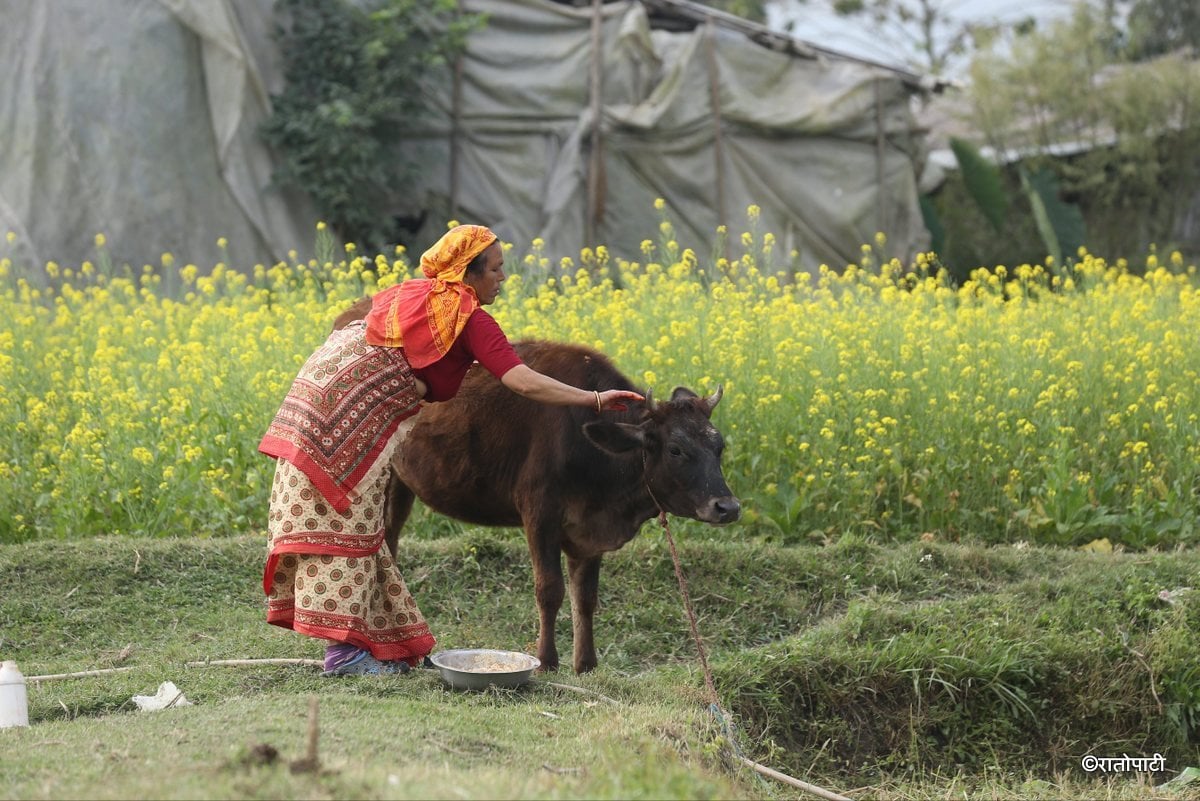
681, 454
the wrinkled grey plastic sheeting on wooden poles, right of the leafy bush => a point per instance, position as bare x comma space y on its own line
827, 148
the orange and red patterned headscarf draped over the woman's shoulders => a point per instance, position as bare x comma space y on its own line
425, 316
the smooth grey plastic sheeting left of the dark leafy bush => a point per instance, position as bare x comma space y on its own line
139, 119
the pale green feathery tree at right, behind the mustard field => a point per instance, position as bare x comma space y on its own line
1121, 137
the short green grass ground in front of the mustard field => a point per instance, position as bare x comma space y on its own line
904, 672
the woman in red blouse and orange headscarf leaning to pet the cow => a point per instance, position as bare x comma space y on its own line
327, 574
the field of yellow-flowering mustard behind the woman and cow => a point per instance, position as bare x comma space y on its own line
1041, 403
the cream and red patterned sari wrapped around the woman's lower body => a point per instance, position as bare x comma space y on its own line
327, 574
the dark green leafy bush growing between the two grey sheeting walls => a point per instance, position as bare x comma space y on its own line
356, 77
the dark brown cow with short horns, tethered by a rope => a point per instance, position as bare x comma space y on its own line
579, 483
